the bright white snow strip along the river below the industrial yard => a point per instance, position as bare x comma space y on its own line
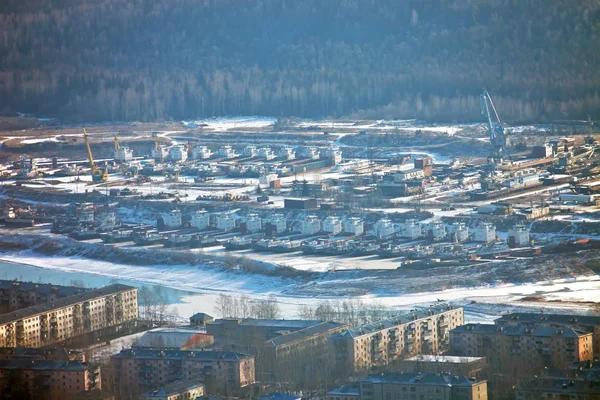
486, 302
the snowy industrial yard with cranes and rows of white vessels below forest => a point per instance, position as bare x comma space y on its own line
313, 196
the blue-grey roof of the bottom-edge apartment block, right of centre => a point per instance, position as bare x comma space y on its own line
419, 378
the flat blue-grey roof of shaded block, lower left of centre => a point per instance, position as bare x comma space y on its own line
172, 354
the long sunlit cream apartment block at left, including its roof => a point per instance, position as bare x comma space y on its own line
61, 319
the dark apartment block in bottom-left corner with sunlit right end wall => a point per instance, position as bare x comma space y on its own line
46, 379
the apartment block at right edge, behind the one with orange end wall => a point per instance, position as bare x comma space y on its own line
584, 323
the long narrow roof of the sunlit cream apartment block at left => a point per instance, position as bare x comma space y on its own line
64, 302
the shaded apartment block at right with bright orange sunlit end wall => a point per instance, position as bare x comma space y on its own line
522, 350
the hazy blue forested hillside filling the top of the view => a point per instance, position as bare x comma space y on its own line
154, 60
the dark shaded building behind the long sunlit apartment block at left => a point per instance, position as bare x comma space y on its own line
17, 294
